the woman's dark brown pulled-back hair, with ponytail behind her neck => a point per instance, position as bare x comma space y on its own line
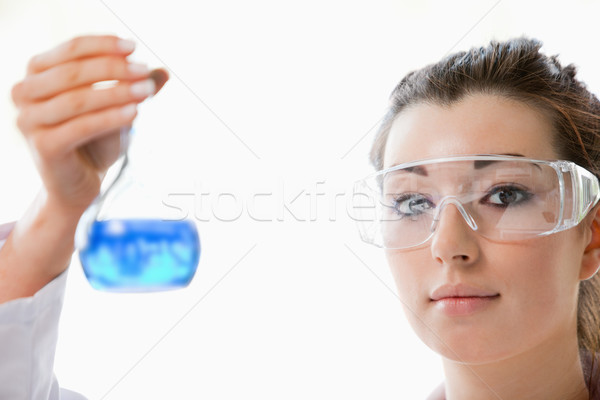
516, 69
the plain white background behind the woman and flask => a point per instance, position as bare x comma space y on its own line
289, 309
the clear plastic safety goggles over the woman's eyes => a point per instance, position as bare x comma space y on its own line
502, 198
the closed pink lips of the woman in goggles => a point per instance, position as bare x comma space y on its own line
460, 300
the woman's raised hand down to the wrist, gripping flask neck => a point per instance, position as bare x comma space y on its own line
71, 125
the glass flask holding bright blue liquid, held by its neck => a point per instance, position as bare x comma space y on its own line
125, 240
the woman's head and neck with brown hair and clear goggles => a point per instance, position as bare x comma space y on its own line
496, 271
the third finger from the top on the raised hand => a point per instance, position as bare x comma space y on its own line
80, 101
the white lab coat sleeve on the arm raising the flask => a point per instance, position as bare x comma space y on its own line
28, 335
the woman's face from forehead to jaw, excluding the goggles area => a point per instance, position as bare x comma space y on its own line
531, 285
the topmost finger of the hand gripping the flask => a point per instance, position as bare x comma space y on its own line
80, 47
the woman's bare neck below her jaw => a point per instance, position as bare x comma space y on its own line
546, 372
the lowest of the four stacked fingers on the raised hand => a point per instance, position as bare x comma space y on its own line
53, 143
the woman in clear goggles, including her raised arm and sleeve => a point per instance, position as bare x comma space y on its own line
502, 313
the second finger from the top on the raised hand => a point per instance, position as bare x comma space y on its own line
75, 74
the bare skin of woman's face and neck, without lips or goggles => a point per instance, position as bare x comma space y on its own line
524, 343
